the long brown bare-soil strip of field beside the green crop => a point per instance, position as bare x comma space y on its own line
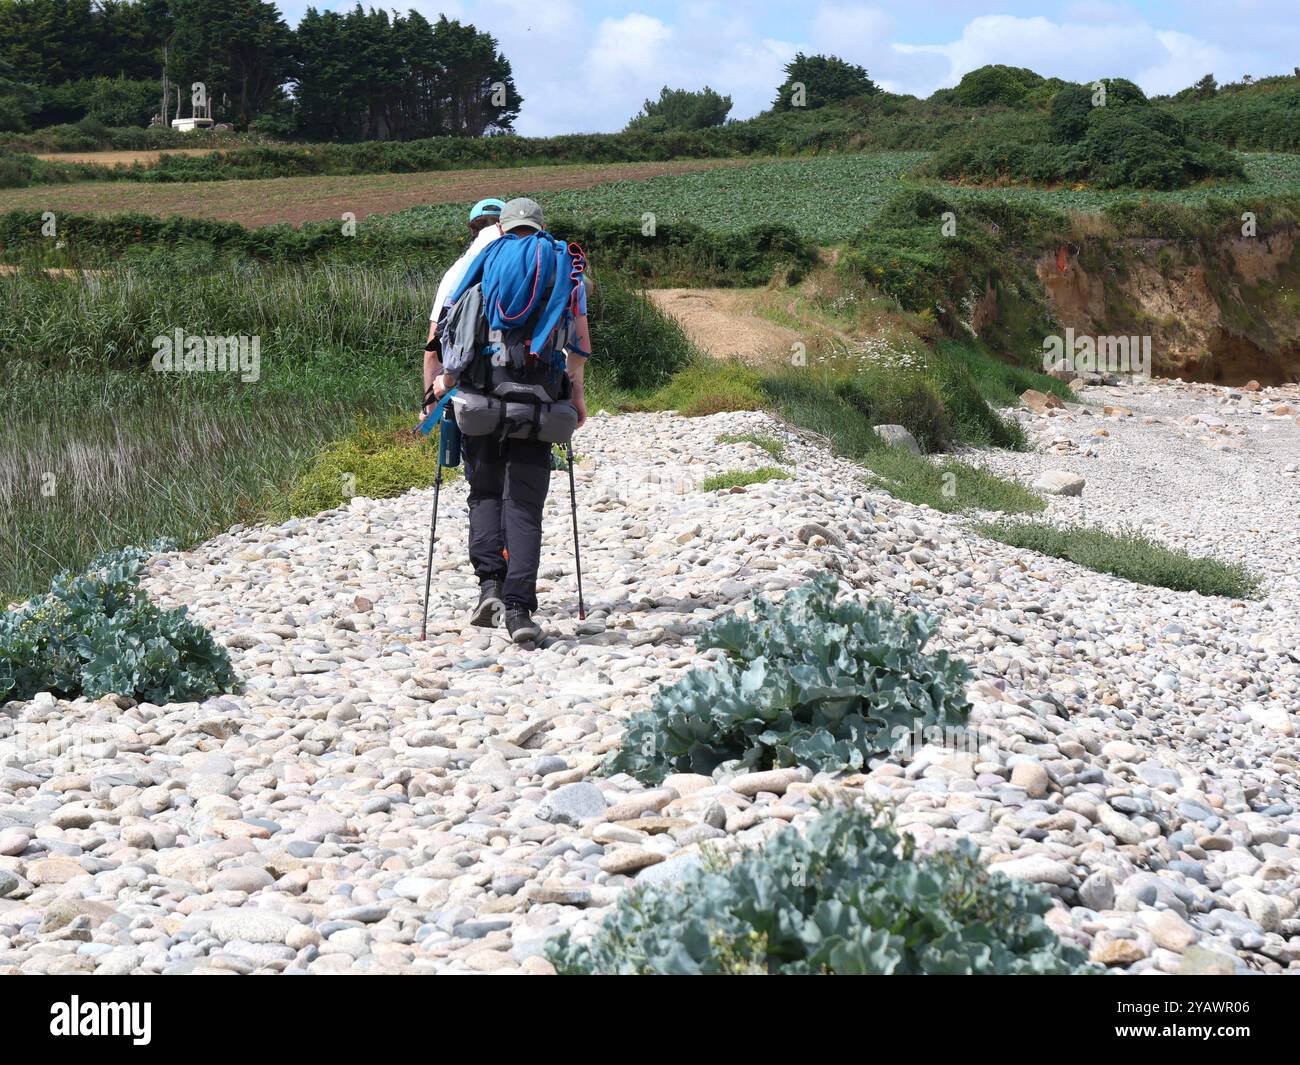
302, 200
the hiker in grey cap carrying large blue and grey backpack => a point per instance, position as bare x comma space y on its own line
515, 344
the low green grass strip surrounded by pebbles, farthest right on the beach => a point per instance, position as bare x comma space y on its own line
1128, 555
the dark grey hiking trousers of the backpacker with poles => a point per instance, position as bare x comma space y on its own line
509, 480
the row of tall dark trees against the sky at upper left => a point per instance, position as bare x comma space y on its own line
362, 75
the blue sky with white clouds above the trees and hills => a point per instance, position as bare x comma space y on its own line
588, 66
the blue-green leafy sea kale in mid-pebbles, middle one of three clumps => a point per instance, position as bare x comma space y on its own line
811, 681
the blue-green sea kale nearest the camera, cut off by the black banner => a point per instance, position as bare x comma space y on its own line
848, 898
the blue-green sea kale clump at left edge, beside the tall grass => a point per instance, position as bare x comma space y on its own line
98, 634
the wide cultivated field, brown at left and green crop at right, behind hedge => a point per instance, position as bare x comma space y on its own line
826, 198
